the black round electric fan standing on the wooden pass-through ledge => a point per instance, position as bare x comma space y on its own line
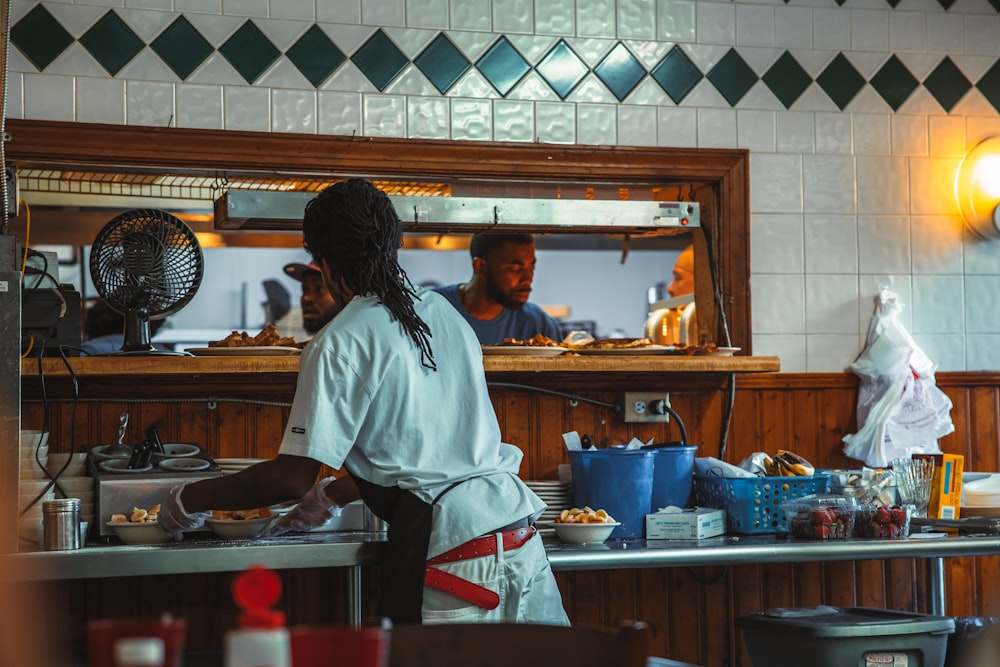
146, 264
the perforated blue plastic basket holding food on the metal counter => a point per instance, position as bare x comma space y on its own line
753, 504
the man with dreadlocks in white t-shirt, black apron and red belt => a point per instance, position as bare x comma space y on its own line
393, 391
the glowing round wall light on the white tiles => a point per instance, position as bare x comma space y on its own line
977, 188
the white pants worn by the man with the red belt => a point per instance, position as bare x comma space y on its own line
521, 577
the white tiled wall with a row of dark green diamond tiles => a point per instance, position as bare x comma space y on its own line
856, 113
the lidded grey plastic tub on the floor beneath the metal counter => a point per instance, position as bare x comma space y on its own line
836, 637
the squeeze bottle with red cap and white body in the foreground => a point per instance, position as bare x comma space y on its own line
261, 640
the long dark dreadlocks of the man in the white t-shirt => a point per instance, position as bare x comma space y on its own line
354, 227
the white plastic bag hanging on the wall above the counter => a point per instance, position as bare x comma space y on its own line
900, 411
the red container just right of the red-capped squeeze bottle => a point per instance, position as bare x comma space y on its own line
323, 645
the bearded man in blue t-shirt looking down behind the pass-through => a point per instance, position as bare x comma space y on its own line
495, 300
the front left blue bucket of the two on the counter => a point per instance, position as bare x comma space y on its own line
618, 481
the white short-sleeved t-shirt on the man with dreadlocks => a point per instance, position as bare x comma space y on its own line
364, 400
